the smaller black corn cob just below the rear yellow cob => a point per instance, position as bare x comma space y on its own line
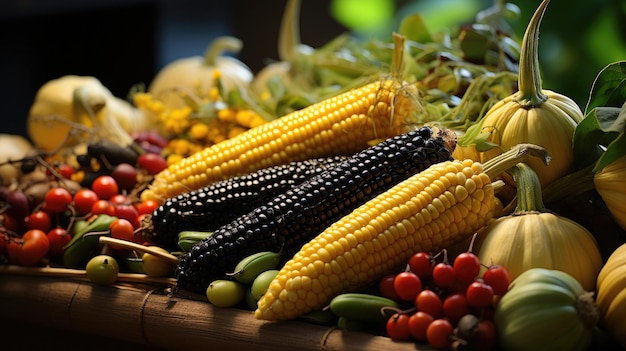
210, 207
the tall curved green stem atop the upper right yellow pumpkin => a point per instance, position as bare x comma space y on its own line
529, 82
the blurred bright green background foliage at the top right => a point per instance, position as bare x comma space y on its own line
578, 38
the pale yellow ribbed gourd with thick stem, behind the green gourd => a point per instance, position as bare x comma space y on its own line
533, 237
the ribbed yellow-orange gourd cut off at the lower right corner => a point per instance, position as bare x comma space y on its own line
611, 295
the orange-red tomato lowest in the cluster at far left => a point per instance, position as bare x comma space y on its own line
29, 249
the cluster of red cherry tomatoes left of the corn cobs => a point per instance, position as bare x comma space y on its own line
31, 232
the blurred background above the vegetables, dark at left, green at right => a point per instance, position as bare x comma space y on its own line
125, 42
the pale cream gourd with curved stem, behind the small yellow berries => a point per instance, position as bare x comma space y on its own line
190, 74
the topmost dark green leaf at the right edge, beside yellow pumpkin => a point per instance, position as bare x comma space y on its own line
609, 87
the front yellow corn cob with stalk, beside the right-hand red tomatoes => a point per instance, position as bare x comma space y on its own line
430, 211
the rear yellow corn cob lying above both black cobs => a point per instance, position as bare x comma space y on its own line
339, 125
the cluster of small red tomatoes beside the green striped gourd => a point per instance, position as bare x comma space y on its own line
448, 303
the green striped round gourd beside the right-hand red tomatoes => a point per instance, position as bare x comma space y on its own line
545, 309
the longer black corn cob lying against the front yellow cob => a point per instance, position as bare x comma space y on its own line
292, 218
